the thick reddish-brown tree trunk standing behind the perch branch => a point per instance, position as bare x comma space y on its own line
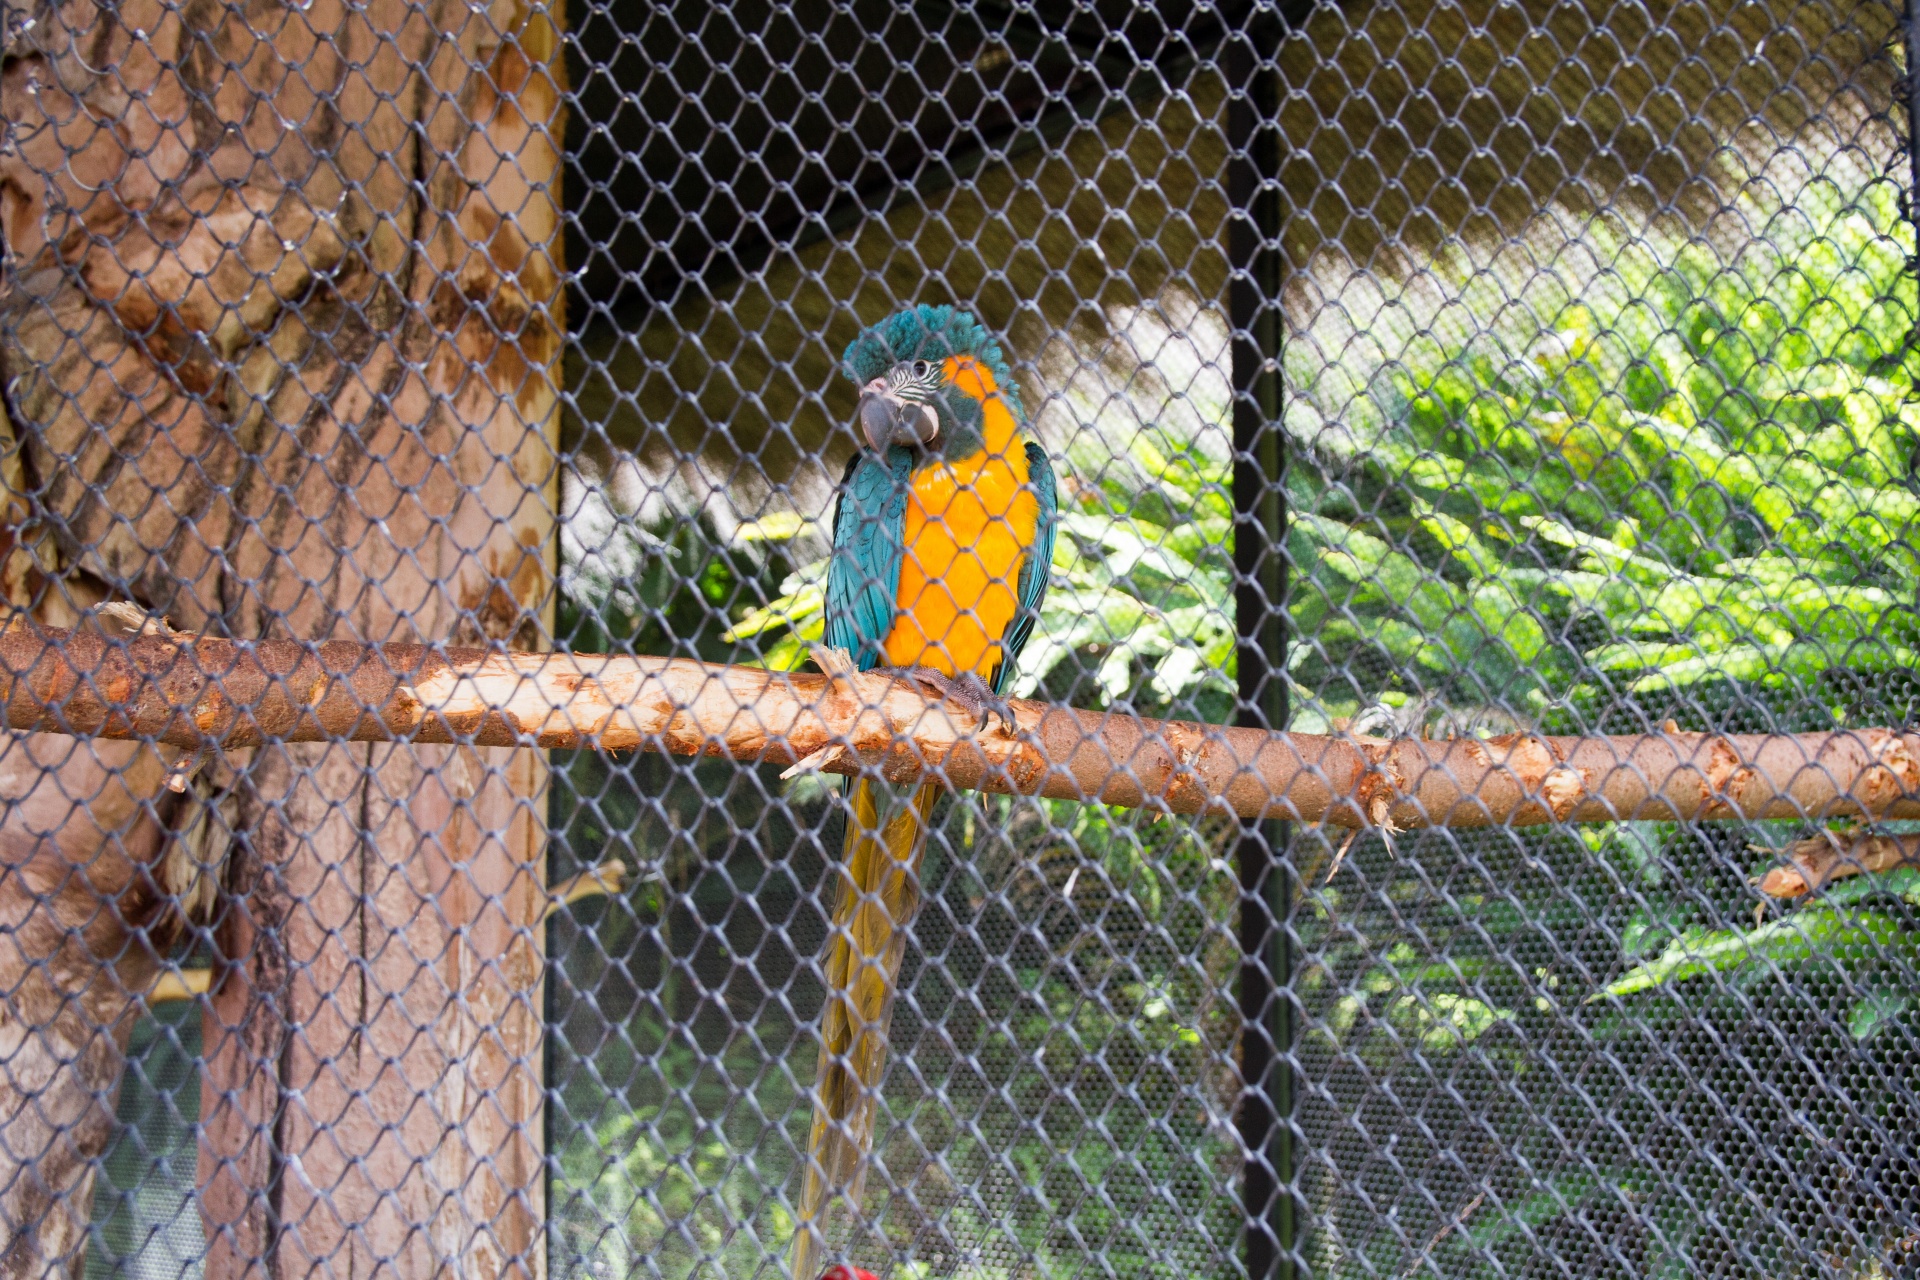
279, 335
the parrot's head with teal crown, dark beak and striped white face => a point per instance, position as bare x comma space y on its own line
909, 394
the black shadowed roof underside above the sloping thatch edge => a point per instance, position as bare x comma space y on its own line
708, 137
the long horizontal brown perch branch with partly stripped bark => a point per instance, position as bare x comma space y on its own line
218, 694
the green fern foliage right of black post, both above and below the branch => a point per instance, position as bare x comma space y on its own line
1675, 492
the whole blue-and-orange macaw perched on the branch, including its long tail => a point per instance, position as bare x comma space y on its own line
942, 550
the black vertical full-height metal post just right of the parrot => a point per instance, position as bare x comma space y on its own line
1260, 596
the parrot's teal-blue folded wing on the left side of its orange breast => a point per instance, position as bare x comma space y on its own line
869, 548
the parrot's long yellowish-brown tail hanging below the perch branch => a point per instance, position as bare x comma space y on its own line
876, 903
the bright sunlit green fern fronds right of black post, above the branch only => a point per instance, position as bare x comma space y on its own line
1696, 475
